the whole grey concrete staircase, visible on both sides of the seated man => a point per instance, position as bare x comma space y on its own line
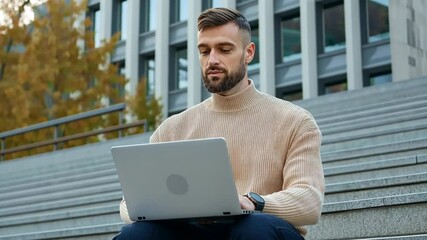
374, 155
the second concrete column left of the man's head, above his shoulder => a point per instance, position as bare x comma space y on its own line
162, 54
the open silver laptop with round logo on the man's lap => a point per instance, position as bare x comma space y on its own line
189, 179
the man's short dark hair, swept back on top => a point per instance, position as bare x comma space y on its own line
215, 17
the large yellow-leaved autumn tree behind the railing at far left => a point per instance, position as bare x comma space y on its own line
51, 68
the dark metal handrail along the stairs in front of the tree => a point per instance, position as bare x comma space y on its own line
56, 123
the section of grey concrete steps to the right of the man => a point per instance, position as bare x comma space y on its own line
374, 156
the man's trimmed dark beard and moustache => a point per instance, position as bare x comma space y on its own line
217, 85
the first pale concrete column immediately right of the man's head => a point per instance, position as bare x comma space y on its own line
267, 64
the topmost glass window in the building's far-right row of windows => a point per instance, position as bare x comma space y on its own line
378, 24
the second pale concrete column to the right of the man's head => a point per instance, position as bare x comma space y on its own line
308, 48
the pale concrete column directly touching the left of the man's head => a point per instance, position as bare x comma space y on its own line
194, 89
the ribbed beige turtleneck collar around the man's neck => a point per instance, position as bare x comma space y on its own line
242, 100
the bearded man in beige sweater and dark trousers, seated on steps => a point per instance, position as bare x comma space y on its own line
274, 146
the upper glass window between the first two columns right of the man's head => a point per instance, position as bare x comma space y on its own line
291, 38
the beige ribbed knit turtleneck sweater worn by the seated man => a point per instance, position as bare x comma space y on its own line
274, 148
